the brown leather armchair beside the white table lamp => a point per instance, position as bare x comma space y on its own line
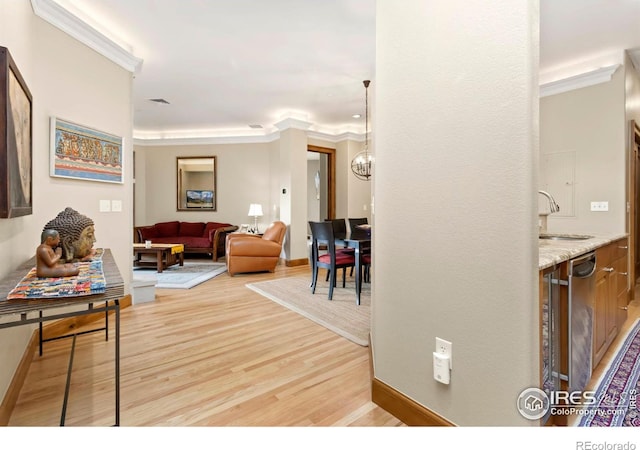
253, 253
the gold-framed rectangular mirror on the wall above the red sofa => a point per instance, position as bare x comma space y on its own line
196, 177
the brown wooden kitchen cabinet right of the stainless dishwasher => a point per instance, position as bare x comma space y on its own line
611, 296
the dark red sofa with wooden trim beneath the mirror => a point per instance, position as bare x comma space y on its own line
197, 237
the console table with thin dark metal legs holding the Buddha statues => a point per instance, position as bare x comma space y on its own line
28, 311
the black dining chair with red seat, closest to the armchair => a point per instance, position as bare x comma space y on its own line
332, 260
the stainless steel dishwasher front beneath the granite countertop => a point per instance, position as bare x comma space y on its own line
582, 284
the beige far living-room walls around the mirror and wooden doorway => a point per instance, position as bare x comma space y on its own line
249, 173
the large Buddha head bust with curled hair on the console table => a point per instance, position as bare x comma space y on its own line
77, 235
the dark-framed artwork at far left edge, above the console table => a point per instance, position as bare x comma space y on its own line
16, 134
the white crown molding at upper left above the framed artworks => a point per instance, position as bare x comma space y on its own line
61, 18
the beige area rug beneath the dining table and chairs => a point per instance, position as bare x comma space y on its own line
340, 315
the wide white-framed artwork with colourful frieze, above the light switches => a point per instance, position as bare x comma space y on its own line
83, 153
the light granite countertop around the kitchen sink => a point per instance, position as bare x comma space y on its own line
553, 251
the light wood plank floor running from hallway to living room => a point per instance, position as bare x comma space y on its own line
218, 354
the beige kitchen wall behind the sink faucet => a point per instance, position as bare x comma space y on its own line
590, 124
